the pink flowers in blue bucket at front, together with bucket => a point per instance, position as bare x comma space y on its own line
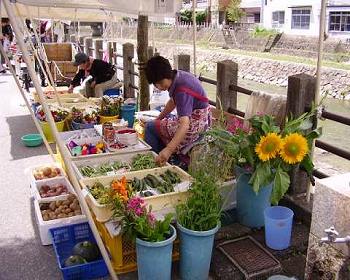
154, 238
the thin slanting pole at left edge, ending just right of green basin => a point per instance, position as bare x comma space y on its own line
38, 126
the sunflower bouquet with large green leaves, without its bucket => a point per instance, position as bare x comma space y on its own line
268, 153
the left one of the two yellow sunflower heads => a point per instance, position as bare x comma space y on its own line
269, 146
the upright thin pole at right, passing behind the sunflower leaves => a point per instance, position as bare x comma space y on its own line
319, 66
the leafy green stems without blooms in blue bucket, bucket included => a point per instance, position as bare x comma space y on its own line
198, 219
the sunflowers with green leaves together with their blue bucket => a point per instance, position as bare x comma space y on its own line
264, 155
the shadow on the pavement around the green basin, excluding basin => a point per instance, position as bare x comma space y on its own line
19, 126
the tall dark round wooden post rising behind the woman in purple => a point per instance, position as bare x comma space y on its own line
142, 57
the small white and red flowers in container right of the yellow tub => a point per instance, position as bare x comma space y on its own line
84, 118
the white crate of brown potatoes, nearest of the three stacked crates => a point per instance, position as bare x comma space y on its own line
56, 213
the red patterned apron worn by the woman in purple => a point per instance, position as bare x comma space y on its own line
200, 120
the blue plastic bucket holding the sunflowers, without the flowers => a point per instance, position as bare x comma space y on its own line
251, 206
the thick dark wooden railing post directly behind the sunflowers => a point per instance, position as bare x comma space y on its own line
301, 93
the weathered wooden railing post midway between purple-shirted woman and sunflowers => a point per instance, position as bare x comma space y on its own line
227, 75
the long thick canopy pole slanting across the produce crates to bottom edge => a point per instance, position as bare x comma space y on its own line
64, 152
